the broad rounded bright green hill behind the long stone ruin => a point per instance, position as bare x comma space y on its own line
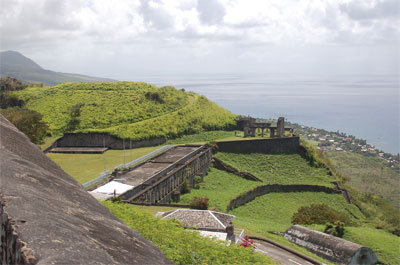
134, 110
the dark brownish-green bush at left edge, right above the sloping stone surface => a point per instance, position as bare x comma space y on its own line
28, 121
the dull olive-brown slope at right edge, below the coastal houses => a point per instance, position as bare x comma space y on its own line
368, 174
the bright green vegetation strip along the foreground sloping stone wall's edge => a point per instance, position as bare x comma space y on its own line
182, 246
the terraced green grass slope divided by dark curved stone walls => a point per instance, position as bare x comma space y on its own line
273, 212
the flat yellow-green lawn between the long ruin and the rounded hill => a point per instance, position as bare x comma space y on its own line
84, 167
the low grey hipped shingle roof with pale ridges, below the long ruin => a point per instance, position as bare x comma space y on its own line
201, 219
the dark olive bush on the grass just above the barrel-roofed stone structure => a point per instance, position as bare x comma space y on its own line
318, 214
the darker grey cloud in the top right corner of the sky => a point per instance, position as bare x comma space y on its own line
381, 9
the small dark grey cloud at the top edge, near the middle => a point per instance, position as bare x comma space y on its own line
210, 11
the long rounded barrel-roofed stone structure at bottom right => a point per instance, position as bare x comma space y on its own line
332, 248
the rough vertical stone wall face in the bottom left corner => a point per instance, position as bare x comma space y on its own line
12, 250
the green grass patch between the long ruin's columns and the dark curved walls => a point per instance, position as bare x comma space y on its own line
220, 187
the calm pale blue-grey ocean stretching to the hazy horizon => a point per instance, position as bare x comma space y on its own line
366, 106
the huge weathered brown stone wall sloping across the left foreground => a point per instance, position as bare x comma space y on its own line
48, 218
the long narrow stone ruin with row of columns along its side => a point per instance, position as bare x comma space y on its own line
157, 180
